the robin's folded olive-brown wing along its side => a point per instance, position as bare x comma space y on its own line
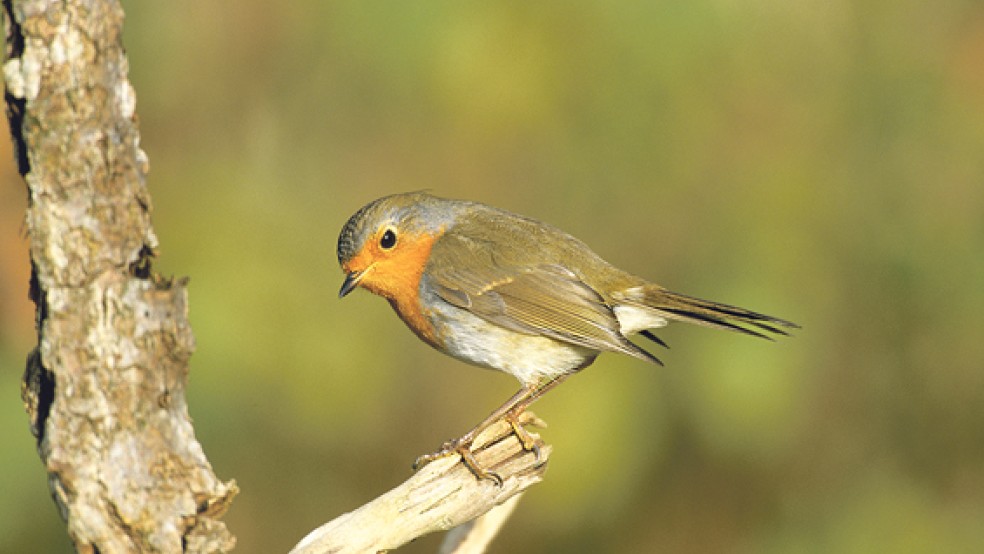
543, 299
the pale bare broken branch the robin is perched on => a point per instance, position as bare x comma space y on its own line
442, 495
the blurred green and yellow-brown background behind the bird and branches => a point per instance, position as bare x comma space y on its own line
819, 161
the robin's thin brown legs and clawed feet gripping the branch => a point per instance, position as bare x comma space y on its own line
510, 411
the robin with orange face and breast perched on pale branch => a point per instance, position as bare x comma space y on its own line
506, 292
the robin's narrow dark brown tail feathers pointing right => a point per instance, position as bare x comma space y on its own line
680, 307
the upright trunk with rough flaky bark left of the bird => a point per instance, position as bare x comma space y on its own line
105, 387
